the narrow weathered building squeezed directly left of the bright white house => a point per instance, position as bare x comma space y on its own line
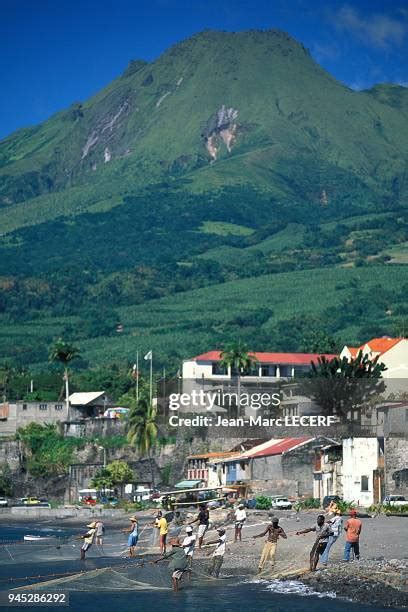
327, 474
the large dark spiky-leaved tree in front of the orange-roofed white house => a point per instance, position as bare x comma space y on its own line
339, 386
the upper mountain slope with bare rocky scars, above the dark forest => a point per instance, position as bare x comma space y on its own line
220, 109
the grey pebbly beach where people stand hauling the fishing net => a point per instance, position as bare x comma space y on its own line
380, 578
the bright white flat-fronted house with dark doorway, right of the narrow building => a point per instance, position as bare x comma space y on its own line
363, 470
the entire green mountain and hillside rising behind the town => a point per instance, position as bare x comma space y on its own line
231, 159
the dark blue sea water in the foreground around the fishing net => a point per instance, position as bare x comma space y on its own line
223, 595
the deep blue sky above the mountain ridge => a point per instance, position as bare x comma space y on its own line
55, 52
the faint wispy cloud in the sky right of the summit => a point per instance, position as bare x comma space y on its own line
376, 29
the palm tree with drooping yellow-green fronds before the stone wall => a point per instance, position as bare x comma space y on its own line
142, 428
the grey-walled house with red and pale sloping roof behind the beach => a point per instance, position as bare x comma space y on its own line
280, 466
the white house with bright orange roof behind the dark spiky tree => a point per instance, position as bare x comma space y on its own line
392, 352
